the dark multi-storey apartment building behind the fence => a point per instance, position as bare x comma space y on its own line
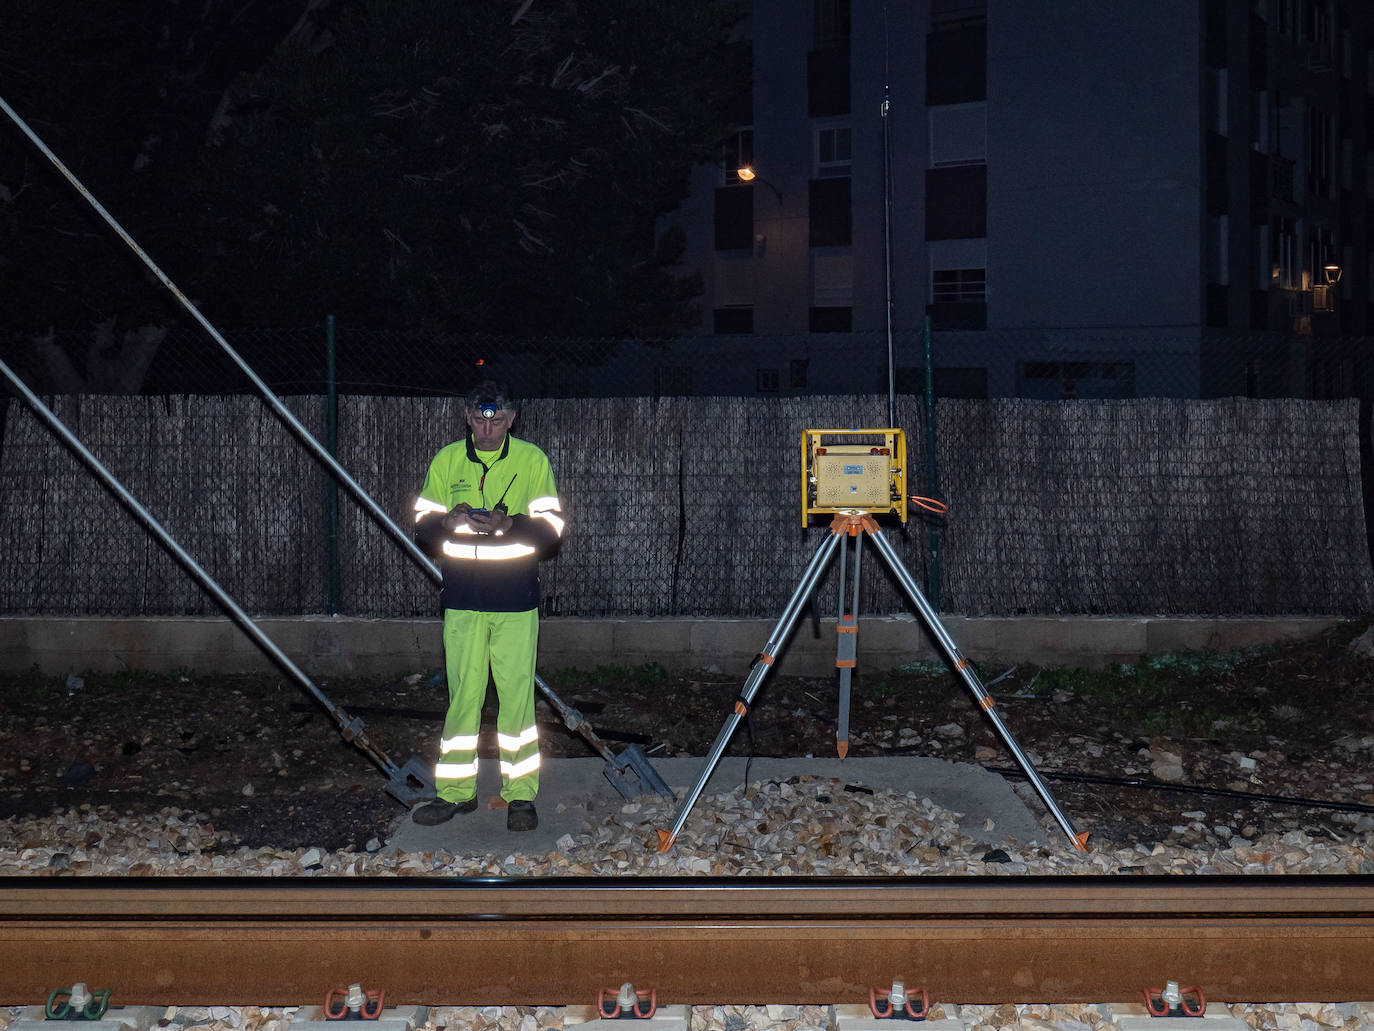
1086, 200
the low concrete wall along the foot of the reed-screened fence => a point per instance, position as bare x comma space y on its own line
344, 647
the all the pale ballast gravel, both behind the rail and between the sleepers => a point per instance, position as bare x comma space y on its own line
803, 827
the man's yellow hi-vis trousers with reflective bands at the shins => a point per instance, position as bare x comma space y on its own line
498, 647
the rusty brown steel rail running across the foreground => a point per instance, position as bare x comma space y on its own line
560, 942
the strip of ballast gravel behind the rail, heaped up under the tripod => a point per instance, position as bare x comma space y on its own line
803, 827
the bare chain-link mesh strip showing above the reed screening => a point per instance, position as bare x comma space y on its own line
1041, 365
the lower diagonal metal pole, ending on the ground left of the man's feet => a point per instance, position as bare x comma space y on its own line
350, 727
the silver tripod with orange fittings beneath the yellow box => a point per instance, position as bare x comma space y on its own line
854, 526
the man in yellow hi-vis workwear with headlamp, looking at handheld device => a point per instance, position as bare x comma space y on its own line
488, 512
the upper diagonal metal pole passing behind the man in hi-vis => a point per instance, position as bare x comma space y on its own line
571, 716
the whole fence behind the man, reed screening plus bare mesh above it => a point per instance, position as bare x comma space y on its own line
1088, 474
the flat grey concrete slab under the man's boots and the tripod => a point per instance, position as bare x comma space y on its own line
576, 791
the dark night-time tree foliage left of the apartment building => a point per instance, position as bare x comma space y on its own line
487, 166
